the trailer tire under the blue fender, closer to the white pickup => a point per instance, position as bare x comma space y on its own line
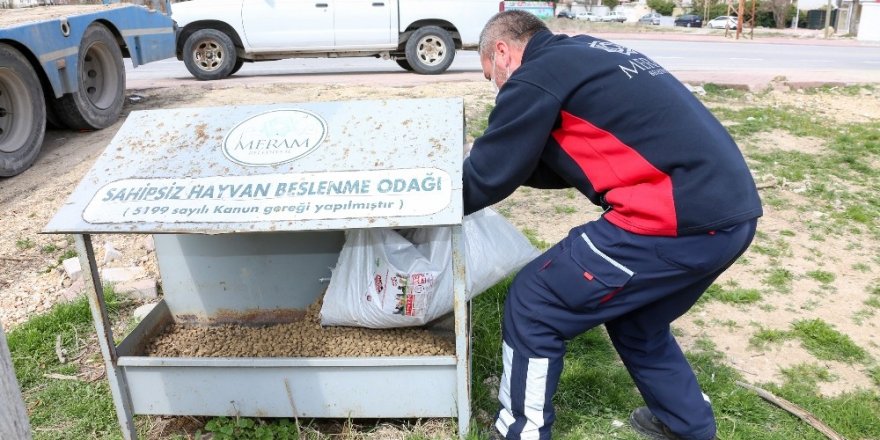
97, 102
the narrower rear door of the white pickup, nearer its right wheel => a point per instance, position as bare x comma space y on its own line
365, 23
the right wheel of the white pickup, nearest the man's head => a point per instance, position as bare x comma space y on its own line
430, 50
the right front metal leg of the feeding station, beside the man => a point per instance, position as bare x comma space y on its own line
462, 333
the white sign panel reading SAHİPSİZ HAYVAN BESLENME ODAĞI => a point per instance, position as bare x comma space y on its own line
273, 197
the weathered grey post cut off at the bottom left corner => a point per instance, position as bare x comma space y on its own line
13, 417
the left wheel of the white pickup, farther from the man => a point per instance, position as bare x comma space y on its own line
209, 54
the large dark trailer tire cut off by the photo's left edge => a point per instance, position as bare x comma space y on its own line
22, 113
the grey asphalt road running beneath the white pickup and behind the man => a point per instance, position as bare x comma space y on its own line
722, 61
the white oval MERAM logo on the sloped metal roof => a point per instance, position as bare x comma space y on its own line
274, 137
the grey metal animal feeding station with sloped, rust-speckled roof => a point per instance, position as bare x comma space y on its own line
248, 206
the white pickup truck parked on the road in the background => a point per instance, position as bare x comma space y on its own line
215, 37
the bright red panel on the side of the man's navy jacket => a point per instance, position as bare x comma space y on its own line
640, 194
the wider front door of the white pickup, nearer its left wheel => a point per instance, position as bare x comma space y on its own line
288, 24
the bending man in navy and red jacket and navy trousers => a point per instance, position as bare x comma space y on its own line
680, 206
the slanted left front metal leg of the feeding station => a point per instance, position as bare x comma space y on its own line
104, 330
